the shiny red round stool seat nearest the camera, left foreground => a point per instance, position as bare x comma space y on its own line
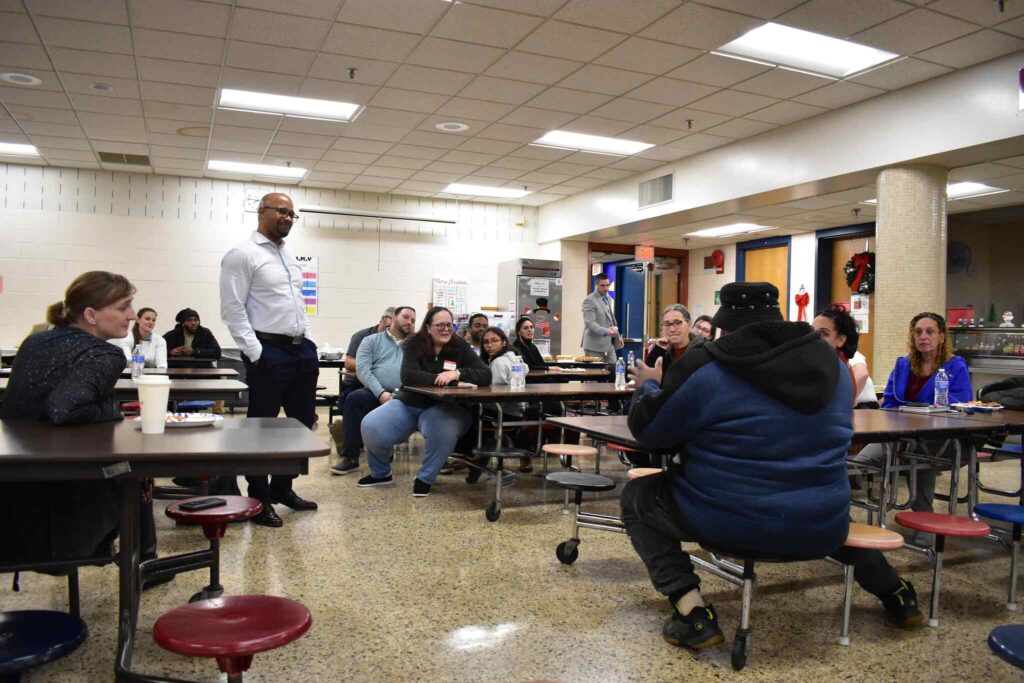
232, 629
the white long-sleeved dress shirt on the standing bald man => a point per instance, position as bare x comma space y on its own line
262, 290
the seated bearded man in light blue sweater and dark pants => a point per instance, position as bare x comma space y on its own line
378, 365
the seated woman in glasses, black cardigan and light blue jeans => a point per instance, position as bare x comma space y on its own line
435, 357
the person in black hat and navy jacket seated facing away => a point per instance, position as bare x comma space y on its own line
762, 420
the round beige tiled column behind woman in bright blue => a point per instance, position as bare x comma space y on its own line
911, 257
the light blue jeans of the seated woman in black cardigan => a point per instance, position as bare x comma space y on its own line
442, 425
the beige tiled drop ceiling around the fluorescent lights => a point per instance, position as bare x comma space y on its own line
511, 70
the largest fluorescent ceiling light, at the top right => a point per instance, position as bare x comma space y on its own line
804, 51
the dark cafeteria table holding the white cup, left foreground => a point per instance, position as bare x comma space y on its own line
35, 451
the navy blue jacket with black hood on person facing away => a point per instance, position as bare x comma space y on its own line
764, 421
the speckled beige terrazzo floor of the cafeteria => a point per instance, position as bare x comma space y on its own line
406, 589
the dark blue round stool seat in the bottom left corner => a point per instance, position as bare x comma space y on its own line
31, 638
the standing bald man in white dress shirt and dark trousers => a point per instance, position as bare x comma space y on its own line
263, 306
